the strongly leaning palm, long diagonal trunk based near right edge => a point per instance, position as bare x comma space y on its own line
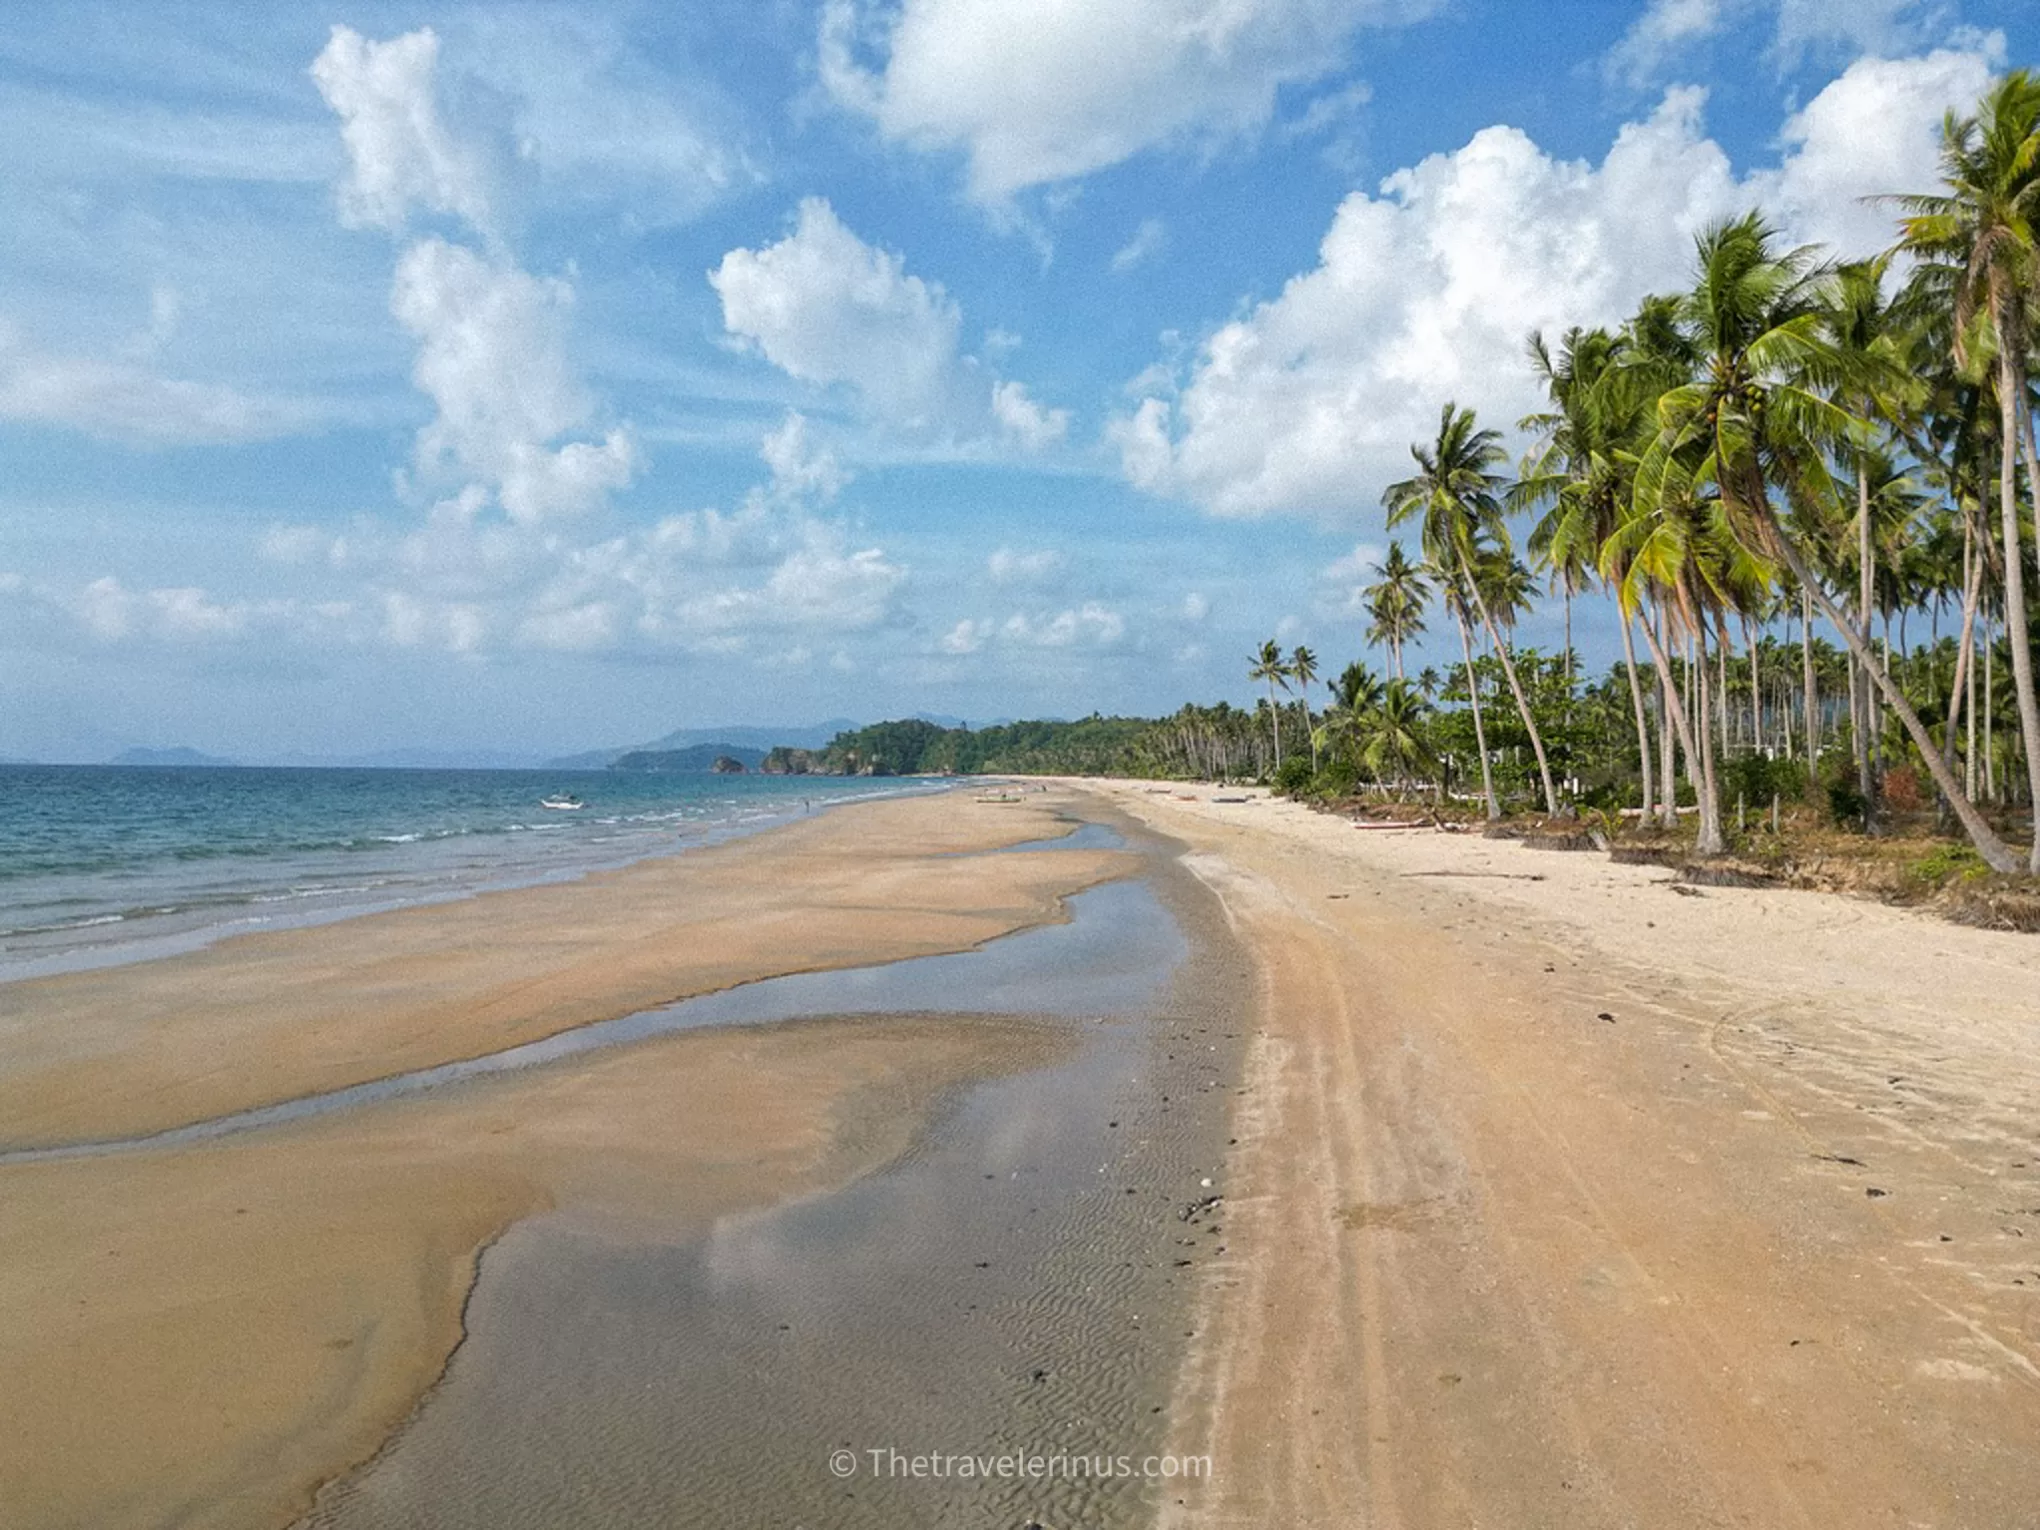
1759, 419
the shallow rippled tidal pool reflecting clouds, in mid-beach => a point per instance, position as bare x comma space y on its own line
1013, 1286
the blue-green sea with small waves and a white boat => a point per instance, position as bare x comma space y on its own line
105, 864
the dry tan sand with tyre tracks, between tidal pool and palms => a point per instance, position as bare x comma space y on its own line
1570, 1201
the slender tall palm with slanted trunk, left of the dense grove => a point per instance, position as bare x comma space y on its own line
1460, 501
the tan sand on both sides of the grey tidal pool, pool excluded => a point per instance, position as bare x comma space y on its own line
1558, 1198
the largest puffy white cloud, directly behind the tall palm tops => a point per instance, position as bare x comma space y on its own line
1427, 289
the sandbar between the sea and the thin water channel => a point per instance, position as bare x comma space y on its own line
130, 1052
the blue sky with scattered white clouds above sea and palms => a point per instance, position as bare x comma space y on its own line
533, 378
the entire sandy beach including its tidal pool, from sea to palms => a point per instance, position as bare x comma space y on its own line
1553, 1194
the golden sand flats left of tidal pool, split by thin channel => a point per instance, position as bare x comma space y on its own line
199, 1337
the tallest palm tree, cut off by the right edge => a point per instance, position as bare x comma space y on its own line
1980, 240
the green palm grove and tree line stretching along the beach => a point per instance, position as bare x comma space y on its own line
1804, 489
